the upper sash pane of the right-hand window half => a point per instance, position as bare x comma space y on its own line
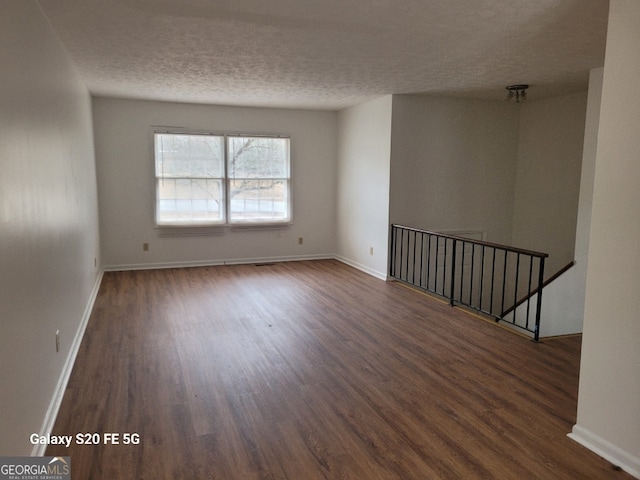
258, 157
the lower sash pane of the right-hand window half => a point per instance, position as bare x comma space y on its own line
259, 200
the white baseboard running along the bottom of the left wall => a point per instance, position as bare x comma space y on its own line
58, 394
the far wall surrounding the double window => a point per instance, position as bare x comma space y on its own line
124, 156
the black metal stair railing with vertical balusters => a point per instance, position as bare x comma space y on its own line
500, 281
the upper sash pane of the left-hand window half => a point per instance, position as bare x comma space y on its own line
195, 156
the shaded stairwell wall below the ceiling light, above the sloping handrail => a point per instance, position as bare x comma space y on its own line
548, 177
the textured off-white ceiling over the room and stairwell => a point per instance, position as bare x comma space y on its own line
329, 54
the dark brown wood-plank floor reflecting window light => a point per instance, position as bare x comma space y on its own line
313, 370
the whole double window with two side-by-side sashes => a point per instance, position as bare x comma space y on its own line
204, 179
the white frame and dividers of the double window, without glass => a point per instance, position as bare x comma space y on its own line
226, 220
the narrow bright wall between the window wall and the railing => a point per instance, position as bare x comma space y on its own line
363, 185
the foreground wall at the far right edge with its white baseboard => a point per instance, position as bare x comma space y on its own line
608, 418
